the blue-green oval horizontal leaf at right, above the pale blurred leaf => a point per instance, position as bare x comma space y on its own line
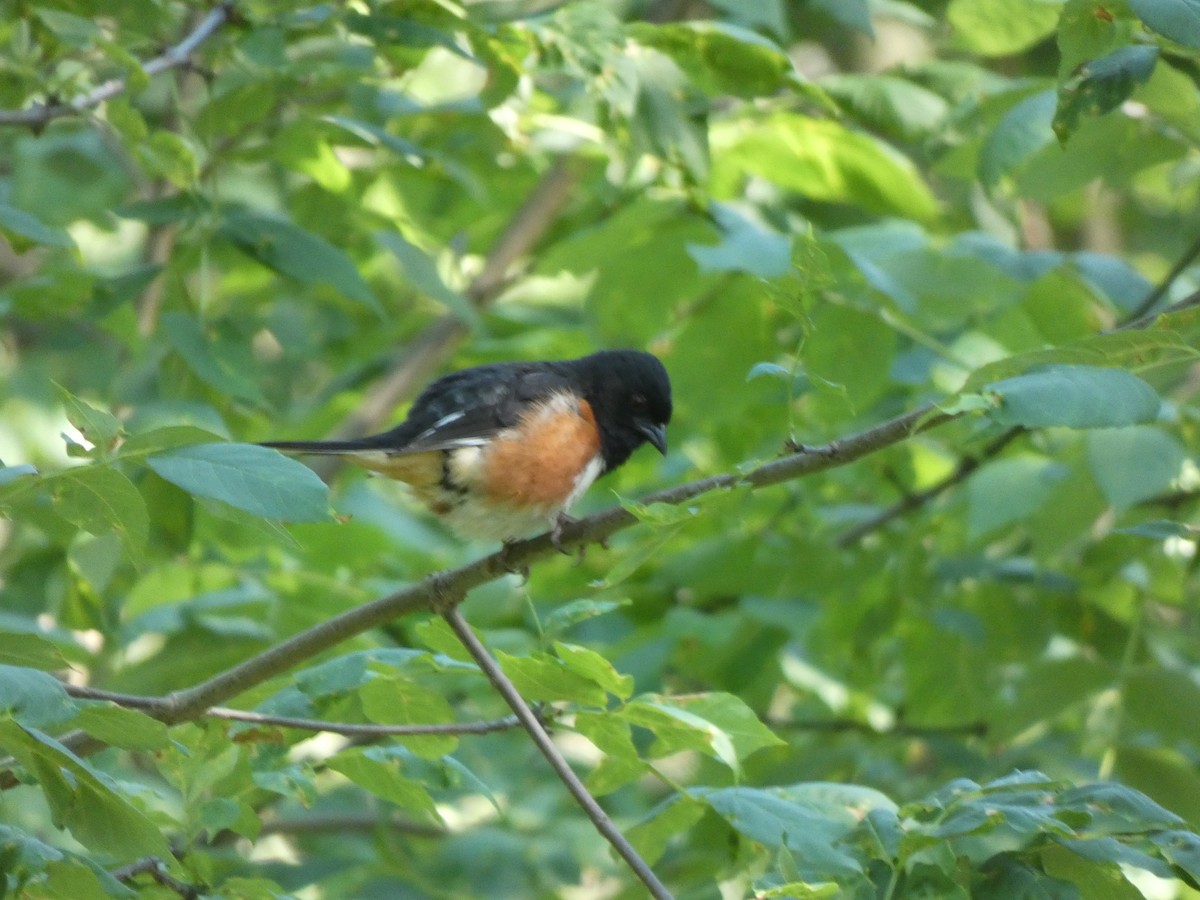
1075, 398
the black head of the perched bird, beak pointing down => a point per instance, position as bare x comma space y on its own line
631, 395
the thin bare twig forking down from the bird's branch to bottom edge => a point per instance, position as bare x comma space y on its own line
587, 802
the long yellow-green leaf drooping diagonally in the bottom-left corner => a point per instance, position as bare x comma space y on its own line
82, 800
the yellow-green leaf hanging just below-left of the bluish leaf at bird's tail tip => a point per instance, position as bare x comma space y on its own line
101, 501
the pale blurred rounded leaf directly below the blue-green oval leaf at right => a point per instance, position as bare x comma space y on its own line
1135, 464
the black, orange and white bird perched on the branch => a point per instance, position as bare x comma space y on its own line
502, 451
